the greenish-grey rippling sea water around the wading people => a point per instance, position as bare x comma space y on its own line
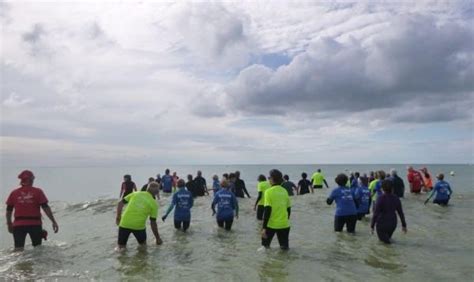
438, 246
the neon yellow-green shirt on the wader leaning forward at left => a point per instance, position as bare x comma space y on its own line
141, 205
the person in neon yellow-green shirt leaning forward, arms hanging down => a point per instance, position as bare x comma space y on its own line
140, 206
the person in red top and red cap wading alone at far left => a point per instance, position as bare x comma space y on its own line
27, 201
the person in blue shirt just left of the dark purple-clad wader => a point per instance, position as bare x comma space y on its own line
346, 207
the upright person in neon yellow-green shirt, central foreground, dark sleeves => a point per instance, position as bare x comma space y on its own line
277, 210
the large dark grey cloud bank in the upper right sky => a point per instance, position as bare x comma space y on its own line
415, 57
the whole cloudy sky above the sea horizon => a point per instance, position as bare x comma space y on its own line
289, 82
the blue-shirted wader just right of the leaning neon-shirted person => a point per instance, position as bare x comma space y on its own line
183, 200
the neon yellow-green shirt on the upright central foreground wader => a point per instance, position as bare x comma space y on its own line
277, 198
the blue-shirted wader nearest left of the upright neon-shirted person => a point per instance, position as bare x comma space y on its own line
226, 205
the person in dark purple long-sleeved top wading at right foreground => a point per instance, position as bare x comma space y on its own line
385, 218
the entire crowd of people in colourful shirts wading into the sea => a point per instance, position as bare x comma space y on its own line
355, 196
